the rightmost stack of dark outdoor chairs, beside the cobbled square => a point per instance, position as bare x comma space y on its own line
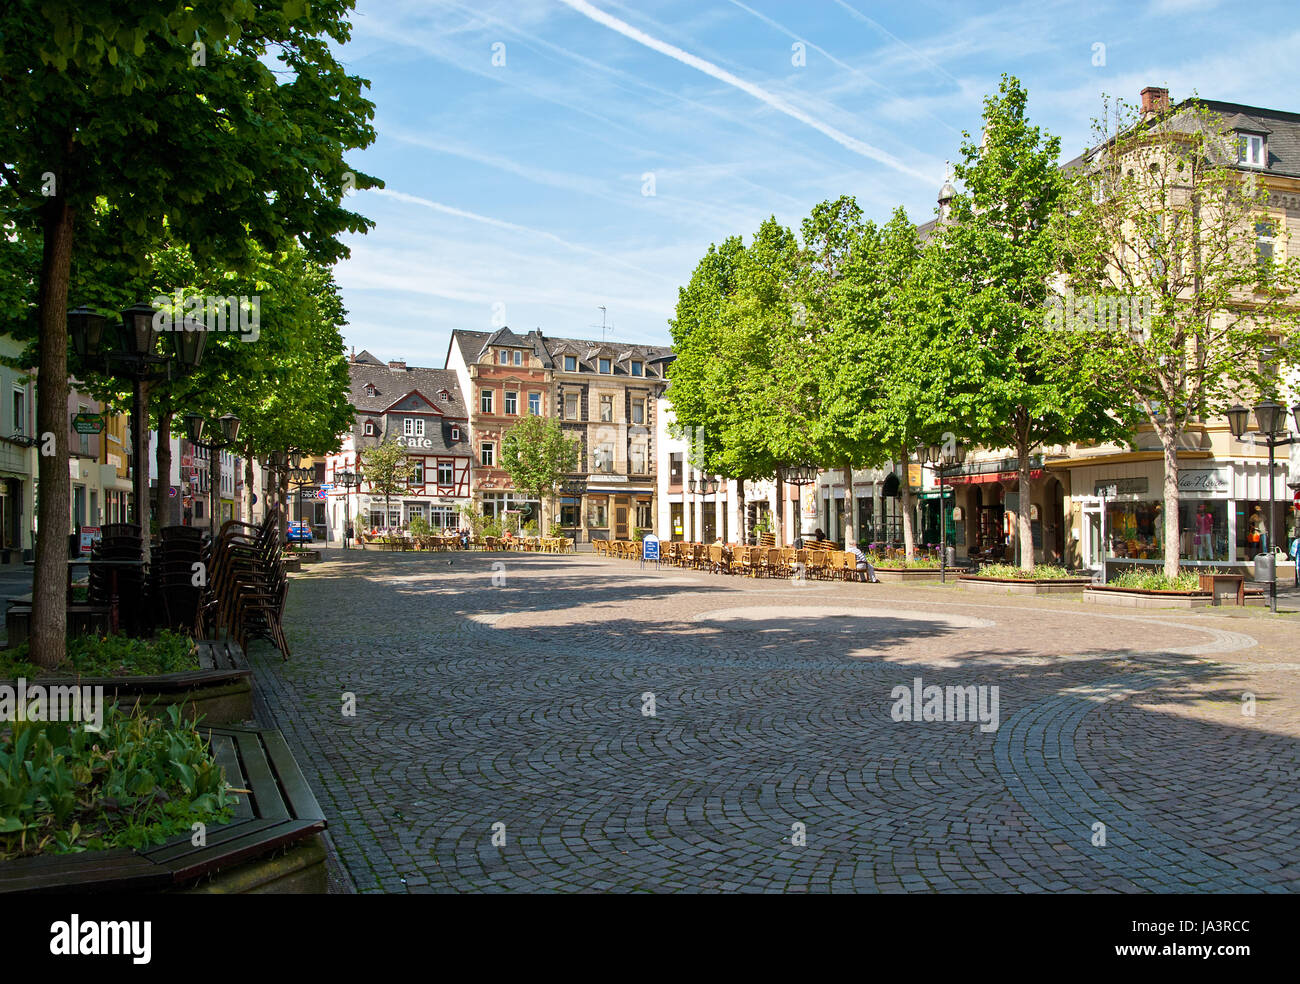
248, 584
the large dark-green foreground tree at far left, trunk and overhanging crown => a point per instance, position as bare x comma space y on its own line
171, 112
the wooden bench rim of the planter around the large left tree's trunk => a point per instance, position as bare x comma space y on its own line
220, 692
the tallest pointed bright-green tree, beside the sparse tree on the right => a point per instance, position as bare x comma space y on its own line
1022, 384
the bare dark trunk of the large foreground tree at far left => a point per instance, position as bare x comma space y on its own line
50, 578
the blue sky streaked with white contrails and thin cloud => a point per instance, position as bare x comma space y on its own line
522, 190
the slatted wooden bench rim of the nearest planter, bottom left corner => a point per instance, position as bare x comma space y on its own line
272, 844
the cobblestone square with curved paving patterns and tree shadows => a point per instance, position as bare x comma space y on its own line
508, 696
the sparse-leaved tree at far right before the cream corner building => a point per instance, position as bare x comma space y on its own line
1162, 250
